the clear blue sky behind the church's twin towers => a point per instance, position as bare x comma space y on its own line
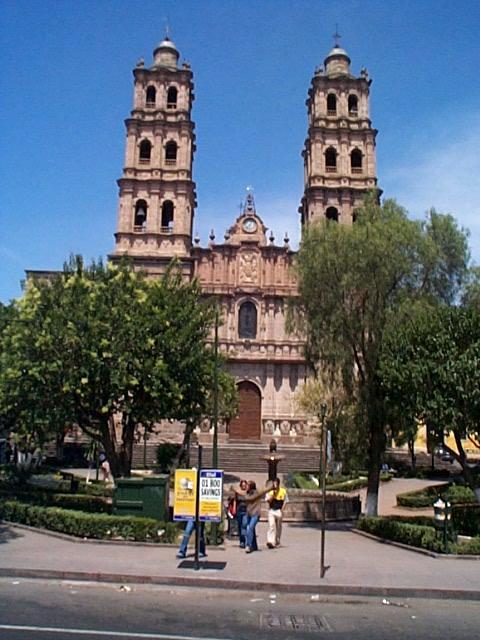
67, 85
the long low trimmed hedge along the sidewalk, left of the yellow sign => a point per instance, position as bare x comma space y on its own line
98, 526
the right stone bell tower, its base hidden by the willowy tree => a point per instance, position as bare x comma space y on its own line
339, 153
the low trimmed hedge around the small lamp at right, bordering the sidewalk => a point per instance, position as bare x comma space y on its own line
415, 535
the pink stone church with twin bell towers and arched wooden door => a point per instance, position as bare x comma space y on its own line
249, 274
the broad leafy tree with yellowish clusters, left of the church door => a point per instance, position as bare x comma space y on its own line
107, 349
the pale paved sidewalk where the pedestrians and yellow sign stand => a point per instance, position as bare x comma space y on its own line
358, 565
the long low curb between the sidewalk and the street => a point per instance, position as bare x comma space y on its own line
216, 583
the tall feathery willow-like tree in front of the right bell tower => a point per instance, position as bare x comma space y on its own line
354, 281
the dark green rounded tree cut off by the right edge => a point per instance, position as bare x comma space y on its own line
430, 368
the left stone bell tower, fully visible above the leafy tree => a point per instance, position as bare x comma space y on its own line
157, 192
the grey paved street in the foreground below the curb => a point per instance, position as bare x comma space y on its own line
37, 610
